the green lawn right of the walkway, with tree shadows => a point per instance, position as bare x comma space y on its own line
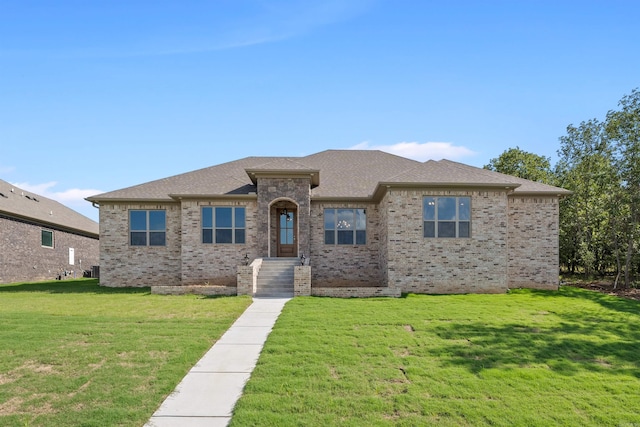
527, 358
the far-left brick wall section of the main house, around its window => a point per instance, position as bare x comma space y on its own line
124, 265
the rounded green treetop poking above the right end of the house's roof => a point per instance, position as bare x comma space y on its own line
523, 164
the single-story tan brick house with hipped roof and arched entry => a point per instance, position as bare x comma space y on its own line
356, 223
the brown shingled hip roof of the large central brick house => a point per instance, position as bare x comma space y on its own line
336, 174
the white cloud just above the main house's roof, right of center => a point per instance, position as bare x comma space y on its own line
421, 151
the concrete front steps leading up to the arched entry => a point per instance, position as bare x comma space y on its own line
275, 278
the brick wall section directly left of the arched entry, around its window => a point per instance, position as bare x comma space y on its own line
211, 264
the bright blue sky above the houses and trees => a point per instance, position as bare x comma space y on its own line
101, 95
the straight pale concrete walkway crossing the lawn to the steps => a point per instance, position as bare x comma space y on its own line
207, 394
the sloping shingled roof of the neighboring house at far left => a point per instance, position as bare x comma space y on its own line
26, 206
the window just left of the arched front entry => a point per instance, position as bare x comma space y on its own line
224, 224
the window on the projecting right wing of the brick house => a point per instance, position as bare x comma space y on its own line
447, 216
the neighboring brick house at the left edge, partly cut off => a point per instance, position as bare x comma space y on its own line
41, 239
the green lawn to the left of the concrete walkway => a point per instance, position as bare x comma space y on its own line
73, 353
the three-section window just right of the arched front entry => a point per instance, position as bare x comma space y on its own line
345, 226
